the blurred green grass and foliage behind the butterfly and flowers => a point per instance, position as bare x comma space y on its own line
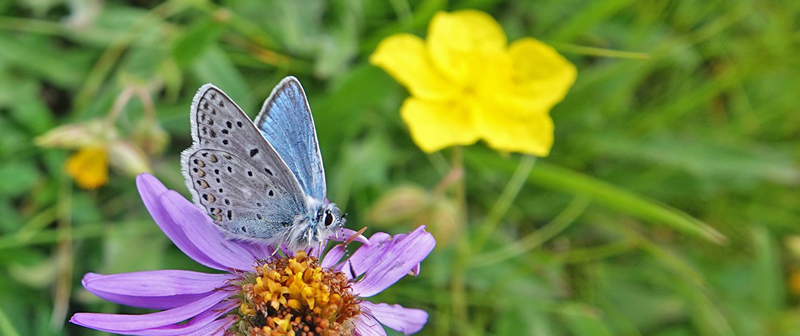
669, 204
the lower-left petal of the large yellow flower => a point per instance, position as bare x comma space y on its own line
435, 125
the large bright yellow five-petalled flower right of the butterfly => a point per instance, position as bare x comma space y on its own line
467, 84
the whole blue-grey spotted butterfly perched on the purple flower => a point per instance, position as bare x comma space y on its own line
262, 180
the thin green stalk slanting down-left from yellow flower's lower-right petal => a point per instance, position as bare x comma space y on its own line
504, 201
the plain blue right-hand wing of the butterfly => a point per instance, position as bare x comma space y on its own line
286, 122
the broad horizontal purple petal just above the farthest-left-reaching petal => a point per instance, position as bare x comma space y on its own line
163, 289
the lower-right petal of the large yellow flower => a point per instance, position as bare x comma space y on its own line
506, 131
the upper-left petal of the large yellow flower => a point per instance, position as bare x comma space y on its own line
405, 57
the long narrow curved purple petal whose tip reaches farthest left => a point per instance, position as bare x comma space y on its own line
119, 323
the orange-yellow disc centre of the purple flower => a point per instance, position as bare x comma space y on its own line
296, 297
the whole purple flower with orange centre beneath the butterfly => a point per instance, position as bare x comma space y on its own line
262, 293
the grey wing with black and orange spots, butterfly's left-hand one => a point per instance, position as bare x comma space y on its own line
235, 174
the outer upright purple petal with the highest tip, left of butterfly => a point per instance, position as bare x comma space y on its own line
151, 190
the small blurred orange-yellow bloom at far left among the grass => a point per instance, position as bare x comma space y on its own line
89, 167
